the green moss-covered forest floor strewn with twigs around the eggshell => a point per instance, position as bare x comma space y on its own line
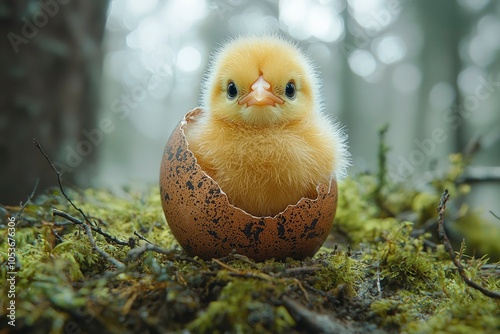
381, 269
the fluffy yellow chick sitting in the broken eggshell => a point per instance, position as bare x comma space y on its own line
262, 136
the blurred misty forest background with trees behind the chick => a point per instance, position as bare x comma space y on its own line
101, 85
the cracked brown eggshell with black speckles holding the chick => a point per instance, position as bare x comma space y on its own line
207, 225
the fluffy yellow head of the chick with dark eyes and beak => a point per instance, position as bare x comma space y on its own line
261, 81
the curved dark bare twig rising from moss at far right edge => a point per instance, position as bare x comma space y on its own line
447, 245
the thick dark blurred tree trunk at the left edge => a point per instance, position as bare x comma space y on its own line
51, 64
